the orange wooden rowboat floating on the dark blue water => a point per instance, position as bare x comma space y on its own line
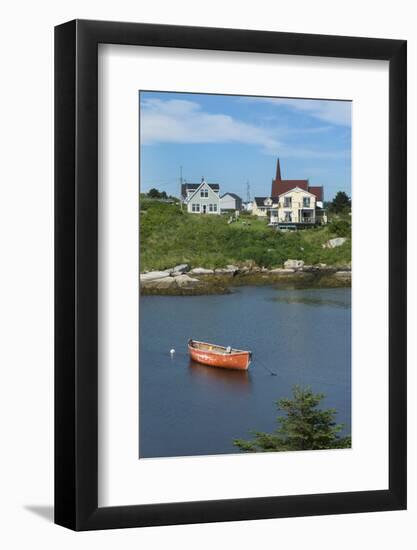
219, 356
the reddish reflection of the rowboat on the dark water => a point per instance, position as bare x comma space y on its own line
233, 380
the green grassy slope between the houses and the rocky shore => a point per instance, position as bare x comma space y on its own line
170, 236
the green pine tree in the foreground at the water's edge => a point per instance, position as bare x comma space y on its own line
305, 427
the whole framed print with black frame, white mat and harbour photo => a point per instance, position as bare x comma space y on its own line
230, 275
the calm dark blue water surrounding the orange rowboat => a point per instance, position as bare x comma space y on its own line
190, 409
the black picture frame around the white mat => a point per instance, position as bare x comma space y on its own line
76, 273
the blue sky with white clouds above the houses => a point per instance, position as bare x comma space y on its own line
231, 140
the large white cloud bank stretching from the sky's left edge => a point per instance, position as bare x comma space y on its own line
184, 121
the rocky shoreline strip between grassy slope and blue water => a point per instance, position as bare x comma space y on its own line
181, 280
